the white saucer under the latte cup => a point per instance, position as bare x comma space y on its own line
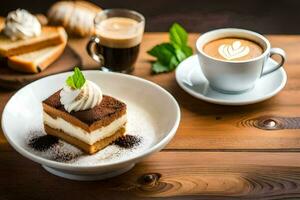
191, 79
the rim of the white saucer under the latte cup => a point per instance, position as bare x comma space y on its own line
225, 102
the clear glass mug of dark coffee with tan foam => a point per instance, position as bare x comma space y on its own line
115, 46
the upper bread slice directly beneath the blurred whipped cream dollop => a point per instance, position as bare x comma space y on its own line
50, 36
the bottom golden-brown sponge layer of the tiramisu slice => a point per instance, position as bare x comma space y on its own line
90, 149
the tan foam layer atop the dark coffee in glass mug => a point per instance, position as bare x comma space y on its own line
120, 32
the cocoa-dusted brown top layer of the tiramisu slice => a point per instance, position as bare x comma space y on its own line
107, 111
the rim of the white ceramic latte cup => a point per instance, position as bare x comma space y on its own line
233, 32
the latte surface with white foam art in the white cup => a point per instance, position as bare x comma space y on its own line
233, 49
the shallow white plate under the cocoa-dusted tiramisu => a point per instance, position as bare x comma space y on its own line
153, 114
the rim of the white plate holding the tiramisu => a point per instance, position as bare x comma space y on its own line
69, 166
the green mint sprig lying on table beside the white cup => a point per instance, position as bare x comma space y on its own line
170, 54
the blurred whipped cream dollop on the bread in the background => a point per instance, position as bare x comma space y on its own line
20, 24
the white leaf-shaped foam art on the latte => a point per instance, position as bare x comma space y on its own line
233, 51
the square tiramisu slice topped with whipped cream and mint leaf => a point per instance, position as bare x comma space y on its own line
82, 116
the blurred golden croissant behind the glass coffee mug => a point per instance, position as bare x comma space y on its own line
77, 17
